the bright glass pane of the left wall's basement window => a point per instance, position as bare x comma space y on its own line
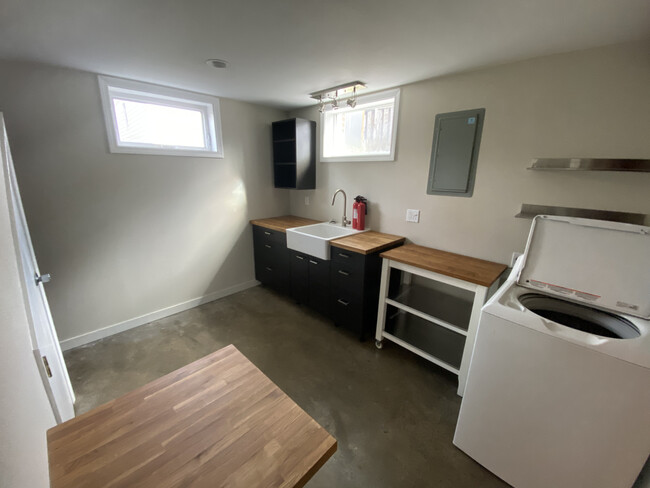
150, 123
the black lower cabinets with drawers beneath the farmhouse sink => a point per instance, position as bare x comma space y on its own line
345, 288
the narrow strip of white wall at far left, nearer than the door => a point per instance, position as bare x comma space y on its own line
25, 412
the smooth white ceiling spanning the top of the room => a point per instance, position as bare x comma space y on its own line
281, 50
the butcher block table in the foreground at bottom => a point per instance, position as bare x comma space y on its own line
217, 422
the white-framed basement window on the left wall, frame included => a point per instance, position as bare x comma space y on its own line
150, 119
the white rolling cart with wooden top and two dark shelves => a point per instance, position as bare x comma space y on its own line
435, 309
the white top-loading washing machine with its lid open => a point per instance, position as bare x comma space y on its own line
558, 389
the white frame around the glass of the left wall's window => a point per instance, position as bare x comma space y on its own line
110, 87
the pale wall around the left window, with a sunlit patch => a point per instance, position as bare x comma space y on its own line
127, 235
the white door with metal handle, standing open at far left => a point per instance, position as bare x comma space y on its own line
47, 351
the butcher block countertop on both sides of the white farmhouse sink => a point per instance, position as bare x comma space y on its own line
363, 243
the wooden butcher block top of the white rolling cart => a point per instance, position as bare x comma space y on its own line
464, 268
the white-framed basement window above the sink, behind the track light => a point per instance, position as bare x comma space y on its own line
366, 132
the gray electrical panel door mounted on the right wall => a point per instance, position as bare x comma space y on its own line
454, 153
